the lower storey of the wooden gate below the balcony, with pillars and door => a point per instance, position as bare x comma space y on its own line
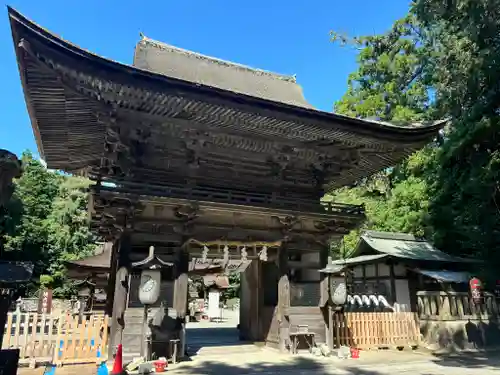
264, 311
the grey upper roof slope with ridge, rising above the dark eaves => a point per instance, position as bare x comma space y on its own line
162, 58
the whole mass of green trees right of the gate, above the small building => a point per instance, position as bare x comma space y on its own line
440, 61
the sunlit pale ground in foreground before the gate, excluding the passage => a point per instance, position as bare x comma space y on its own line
268, 362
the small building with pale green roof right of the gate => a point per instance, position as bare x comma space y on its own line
393, 267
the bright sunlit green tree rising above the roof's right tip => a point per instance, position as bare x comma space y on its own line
390, 83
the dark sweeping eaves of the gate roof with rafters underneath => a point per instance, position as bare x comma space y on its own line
54, 71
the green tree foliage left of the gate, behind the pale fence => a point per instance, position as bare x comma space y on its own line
46, 223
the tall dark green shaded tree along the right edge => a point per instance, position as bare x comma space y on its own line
464, 211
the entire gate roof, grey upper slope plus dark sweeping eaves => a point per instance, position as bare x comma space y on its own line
63, 81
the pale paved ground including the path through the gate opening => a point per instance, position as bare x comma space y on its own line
216, 350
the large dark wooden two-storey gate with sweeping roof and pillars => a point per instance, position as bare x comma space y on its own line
193, 163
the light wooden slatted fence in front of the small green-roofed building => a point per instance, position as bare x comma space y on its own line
370, 330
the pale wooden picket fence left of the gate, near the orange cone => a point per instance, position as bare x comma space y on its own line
57, 339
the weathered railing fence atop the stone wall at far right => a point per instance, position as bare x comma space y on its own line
455, 306
